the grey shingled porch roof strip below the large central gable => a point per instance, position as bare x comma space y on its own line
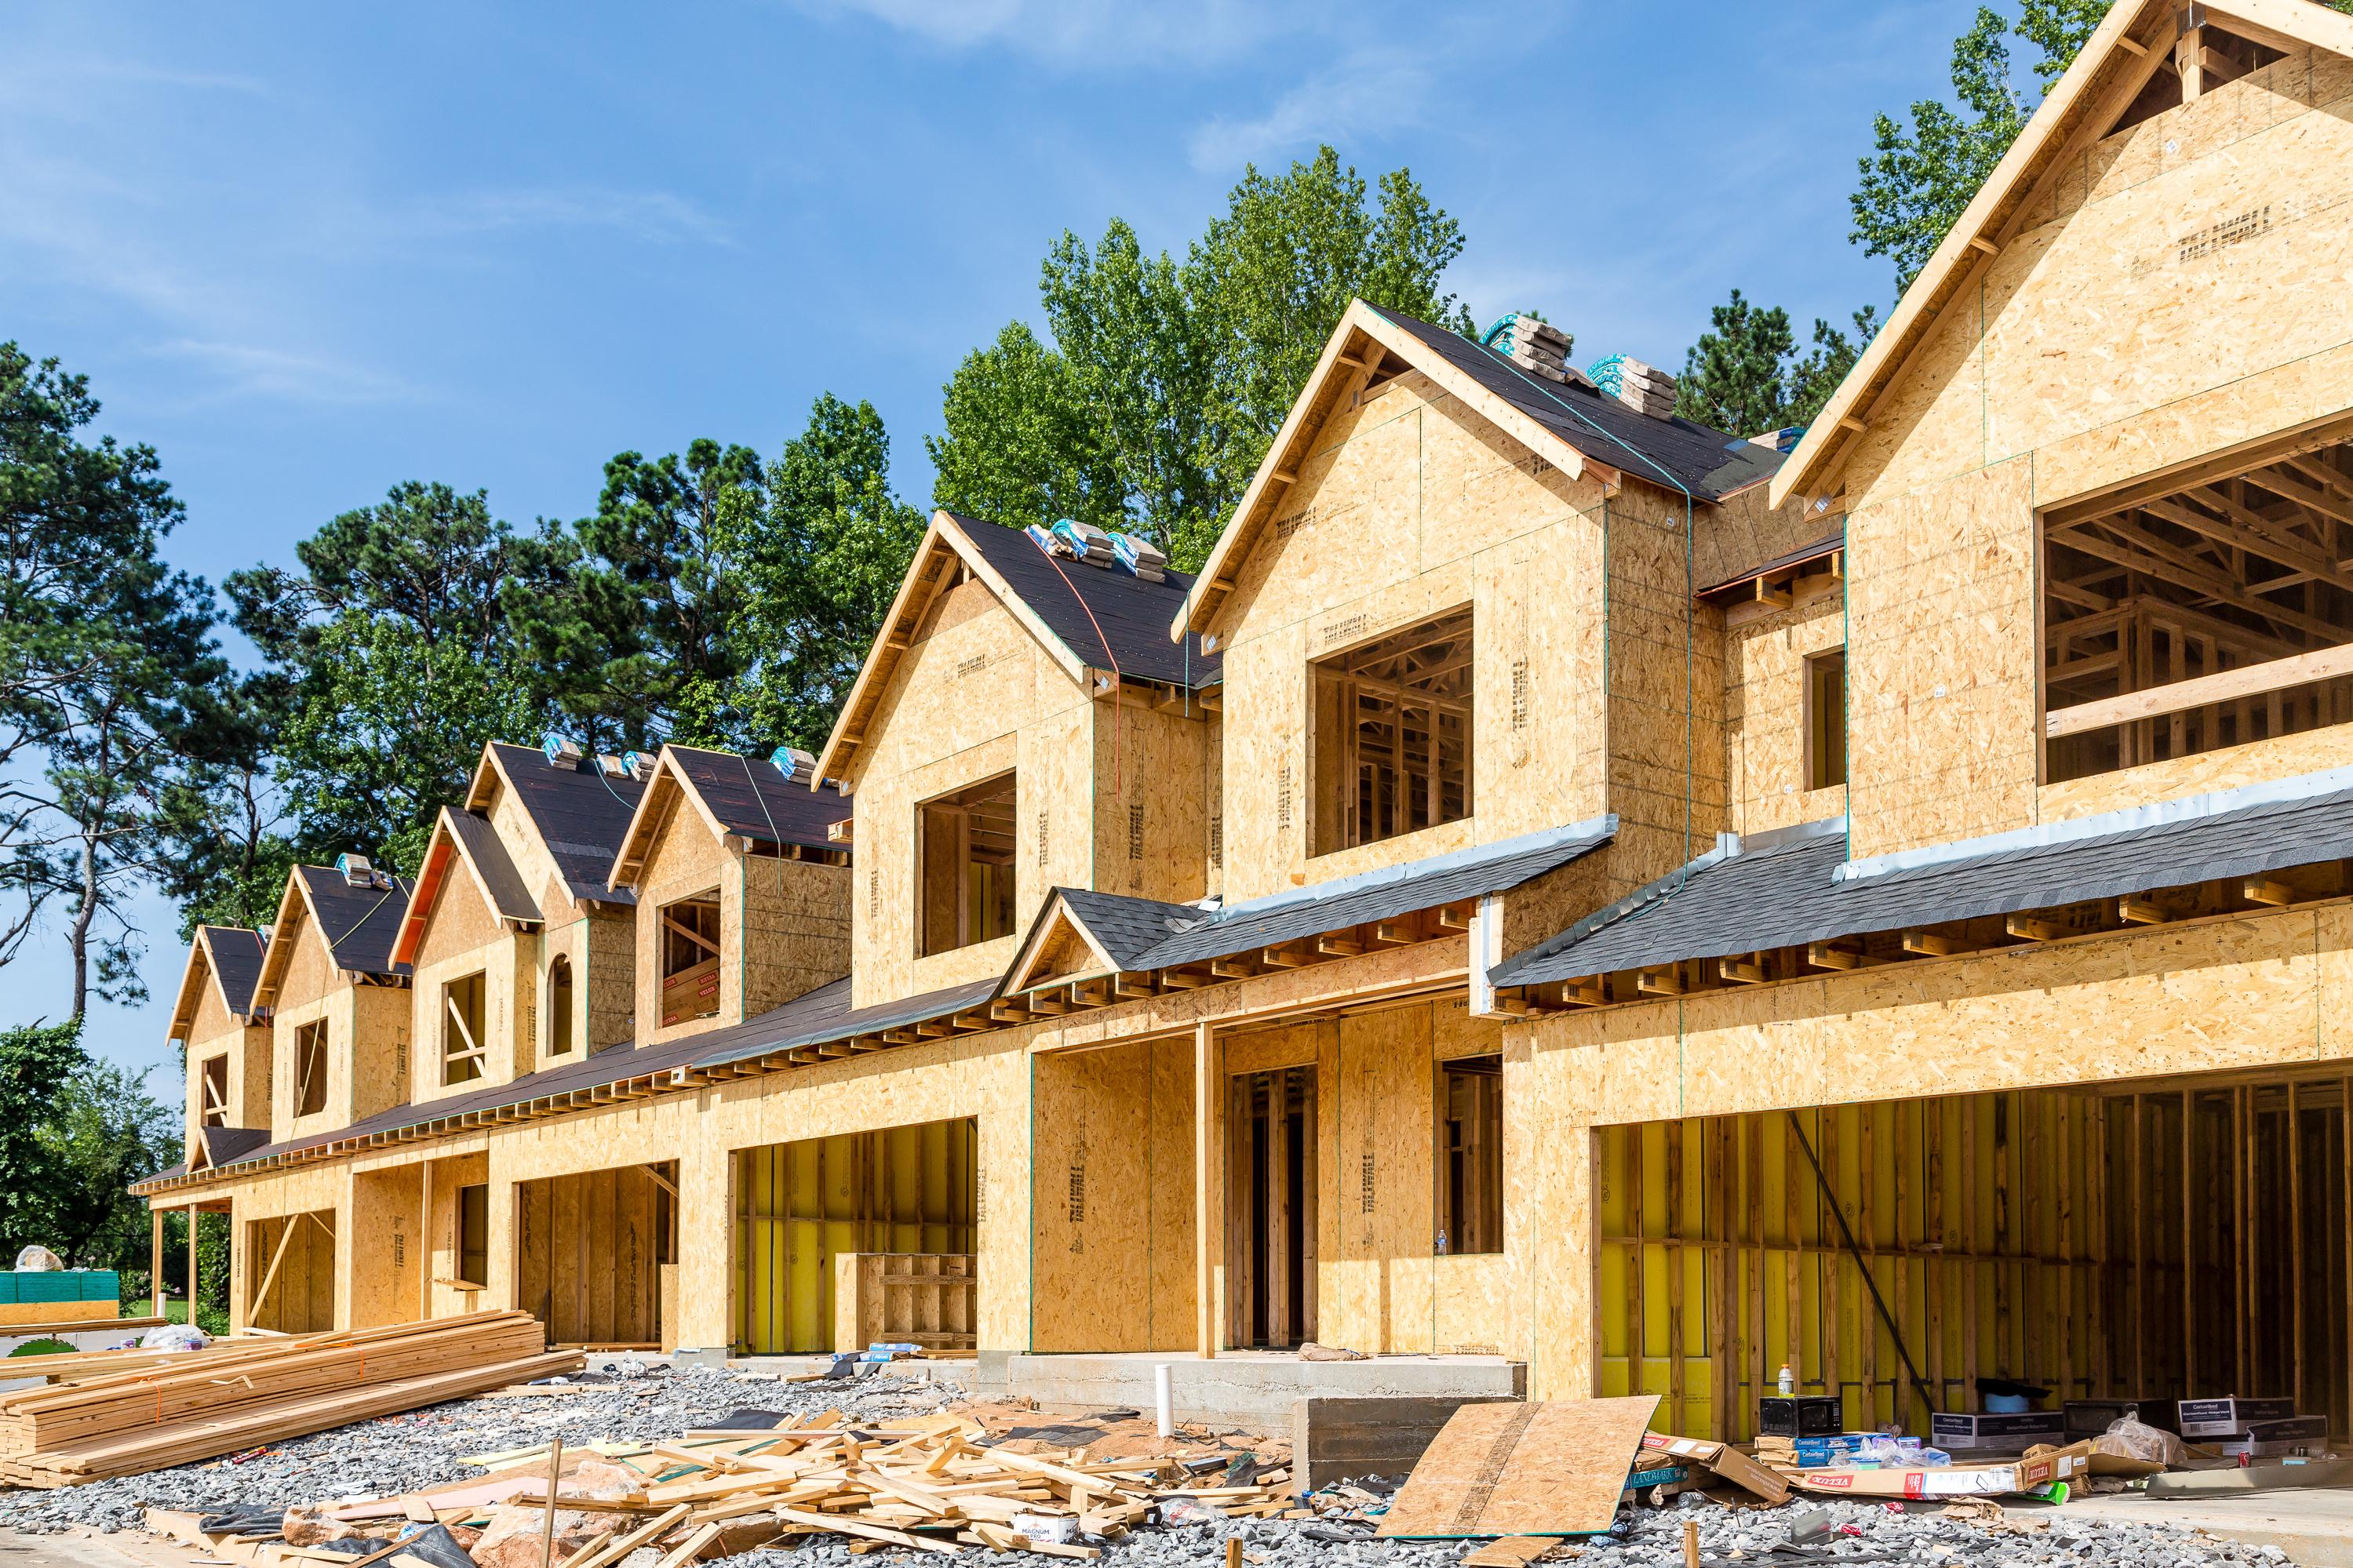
1328, 906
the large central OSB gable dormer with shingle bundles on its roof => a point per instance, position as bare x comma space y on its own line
1455, 608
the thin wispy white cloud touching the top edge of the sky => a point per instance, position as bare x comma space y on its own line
1114, 34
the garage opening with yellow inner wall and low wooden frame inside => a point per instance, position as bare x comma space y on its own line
858, 1238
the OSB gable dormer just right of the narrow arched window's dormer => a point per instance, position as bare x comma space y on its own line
740, 885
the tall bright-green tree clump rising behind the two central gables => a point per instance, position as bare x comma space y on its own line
1164, 382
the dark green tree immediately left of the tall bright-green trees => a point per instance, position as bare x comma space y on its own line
822, 565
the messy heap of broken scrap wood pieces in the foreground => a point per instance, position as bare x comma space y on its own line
926, 1485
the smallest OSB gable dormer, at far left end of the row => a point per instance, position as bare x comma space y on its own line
225, 1040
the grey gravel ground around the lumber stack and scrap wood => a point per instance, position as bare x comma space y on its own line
422, 1449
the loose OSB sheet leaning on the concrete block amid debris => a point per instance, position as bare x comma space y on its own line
1524, 1470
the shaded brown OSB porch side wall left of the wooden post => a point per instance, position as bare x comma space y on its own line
1114, 1172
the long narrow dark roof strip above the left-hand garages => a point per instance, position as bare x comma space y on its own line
806, 1021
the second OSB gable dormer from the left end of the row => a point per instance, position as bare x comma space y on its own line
340, 1005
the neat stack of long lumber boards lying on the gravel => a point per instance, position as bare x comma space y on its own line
154, 1412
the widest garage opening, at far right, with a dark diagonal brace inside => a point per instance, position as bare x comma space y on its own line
2175, 1242
